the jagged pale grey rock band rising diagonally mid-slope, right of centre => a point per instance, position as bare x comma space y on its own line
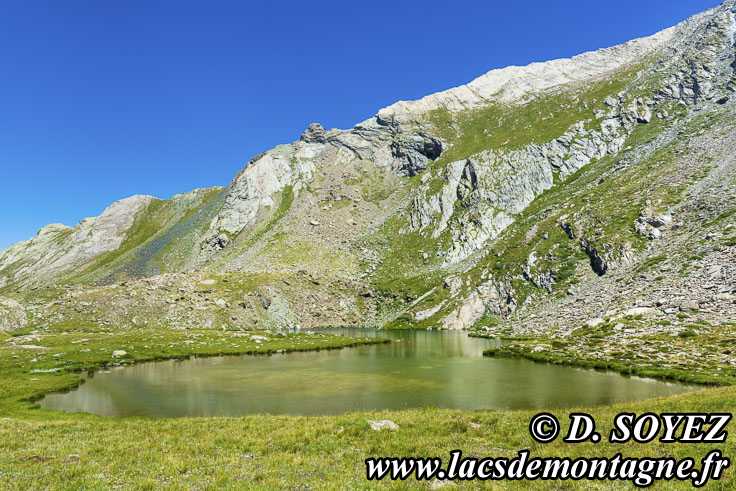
495, 185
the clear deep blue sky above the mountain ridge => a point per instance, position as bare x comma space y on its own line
100, 100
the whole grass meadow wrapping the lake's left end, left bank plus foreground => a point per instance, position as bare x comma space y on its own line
58, 450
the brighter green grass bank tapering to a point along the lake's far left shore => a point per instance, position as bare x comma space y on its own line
30, 371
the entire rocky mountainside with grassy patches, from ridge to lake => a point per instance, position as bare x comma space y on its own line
584, 199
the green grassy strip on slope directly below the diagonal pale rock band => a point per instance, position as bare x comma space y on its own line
600, 203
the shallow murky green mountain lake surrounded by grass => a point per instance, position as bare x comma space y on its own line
437, 368
